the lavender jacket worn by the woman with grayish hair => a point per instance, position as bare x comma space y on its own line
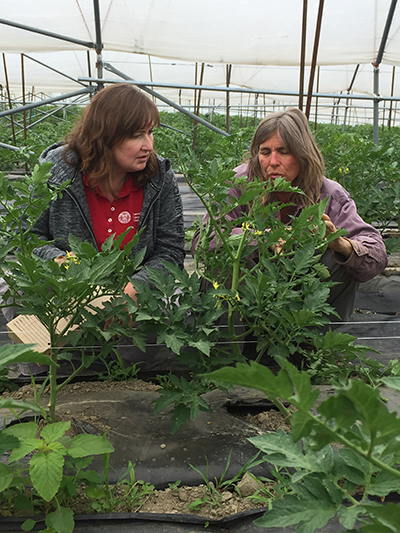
369, 253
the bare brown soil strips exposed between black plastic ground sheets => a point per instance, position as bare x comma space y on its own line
211, 502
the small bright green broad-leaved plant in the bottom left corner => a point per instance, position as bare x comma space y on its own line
40, 479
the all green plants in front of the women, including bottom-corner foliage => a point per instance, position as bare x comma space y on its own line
282, 303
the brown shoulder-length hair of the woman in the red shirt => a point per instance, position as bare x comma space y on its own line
114, 115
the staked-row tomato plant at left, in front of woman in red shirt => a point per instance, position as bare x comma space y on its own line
63, 298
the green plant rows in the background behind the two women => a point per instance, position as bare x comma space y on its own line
369, 172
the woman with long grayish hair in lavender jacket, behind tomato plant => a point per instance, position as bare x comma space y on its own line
283, 146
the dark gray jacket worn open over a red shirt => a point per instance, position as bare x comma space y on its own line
161, 215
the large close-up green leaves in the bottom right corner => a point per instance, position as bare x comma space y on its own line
325, 476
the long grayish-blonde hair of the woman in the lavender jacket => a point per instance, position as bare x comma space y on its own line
293, 129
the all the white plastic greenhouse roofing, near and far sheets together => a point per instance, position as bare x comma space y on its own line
260, 38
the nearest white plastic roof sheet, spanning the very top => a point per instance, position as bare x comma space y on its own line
249, 32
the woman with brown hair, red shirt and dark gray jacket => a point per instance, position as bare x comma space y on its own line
117, 182
